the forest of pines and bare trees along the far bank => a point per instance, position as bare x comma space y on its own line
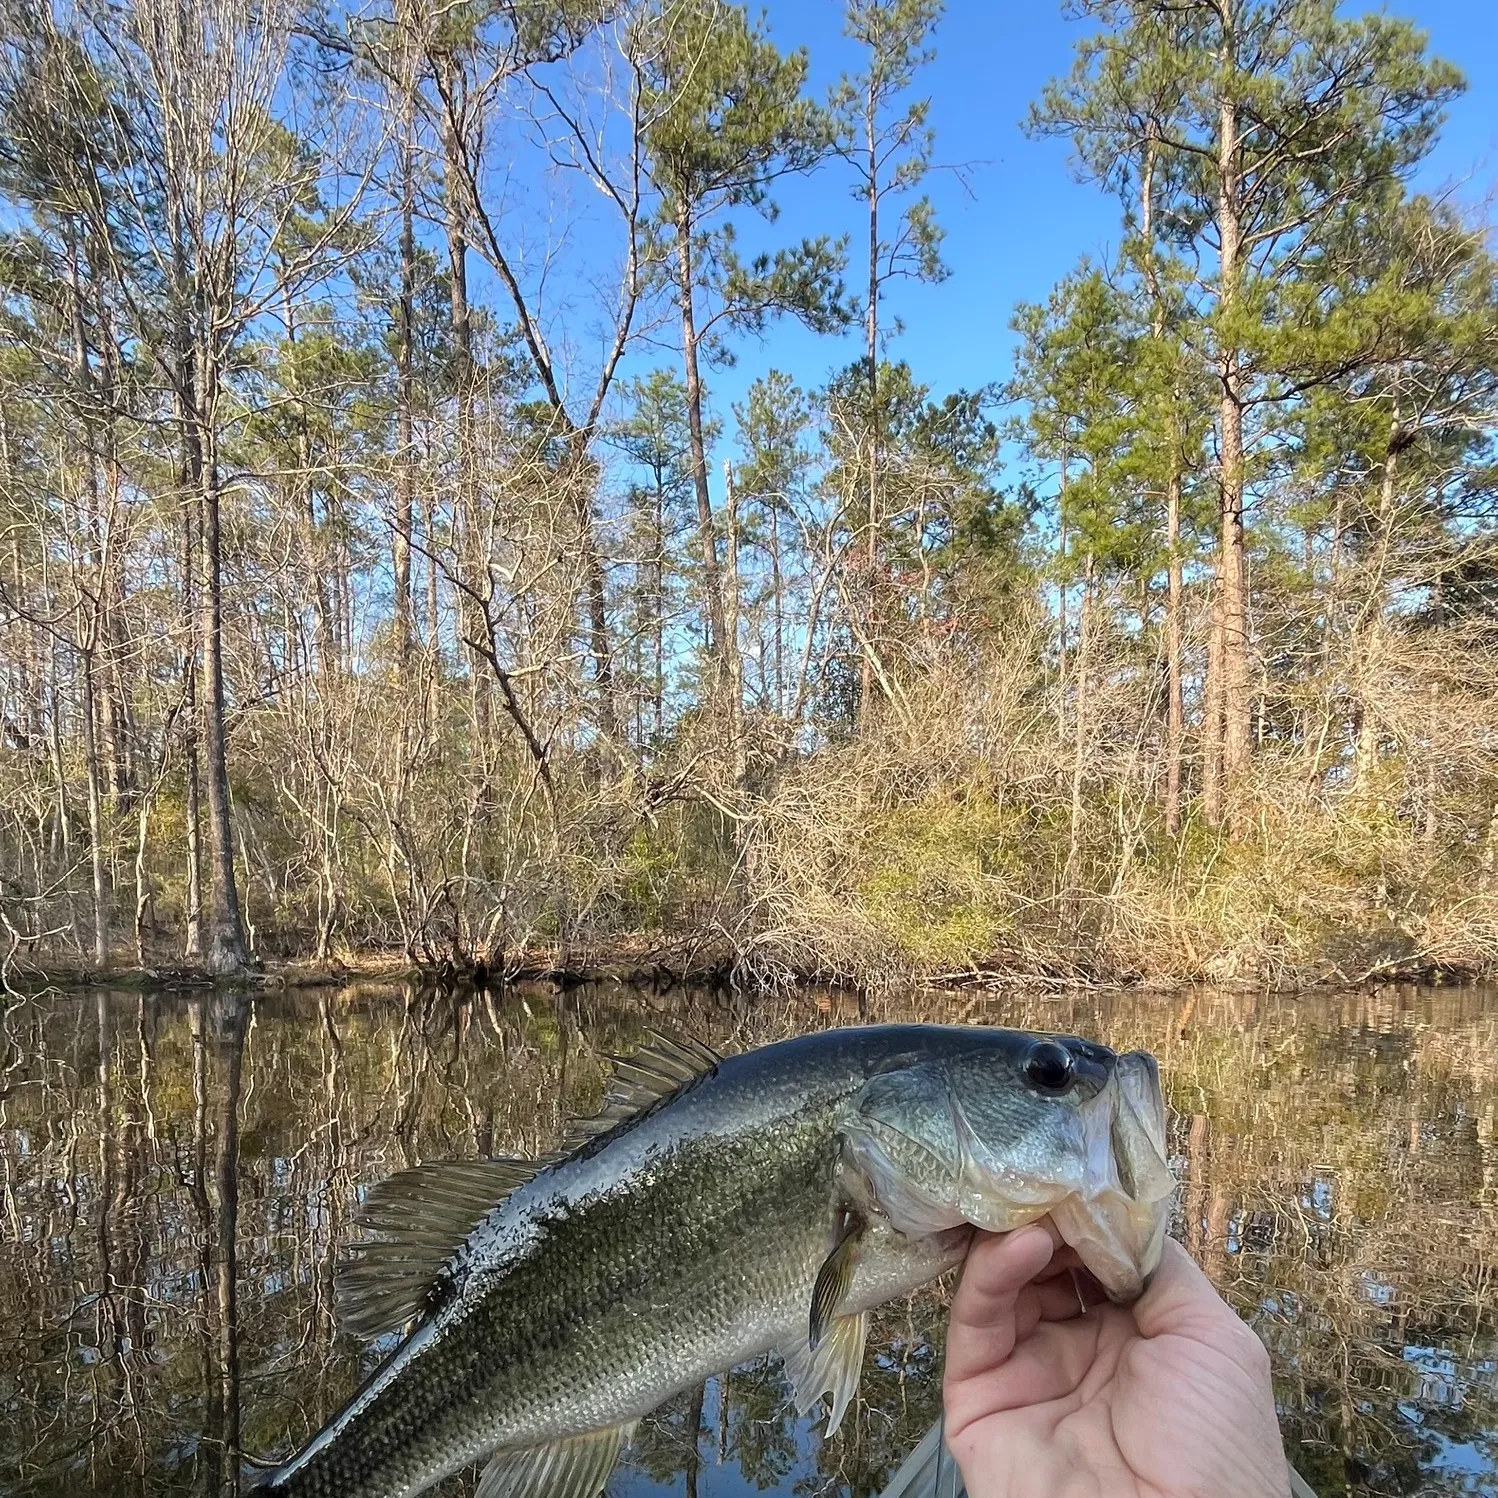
360, 594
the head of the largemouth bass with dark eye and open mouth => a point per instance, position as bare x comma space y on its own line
1010, 1130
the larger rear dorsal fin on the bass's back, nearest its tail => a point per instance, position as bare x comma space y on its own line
422, 1217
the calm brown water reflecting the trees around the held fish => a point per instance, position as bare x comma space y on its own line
179, 1175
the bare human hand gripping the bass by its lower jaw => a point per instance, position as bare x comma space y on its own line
1168, 1398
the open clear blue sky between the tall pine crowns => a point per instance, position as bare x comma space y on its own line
1025, 221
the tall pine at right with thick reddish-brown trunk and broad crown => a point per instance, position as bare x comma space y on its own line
1259, 124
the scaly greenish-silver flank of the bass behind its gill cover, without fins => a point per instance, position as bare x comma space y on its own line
700, 1250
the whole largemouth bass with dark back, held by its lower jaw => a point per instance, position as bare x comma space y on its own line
720, 1208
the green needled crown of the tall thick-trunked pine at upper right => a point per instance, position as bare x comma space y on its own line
1329, 113
